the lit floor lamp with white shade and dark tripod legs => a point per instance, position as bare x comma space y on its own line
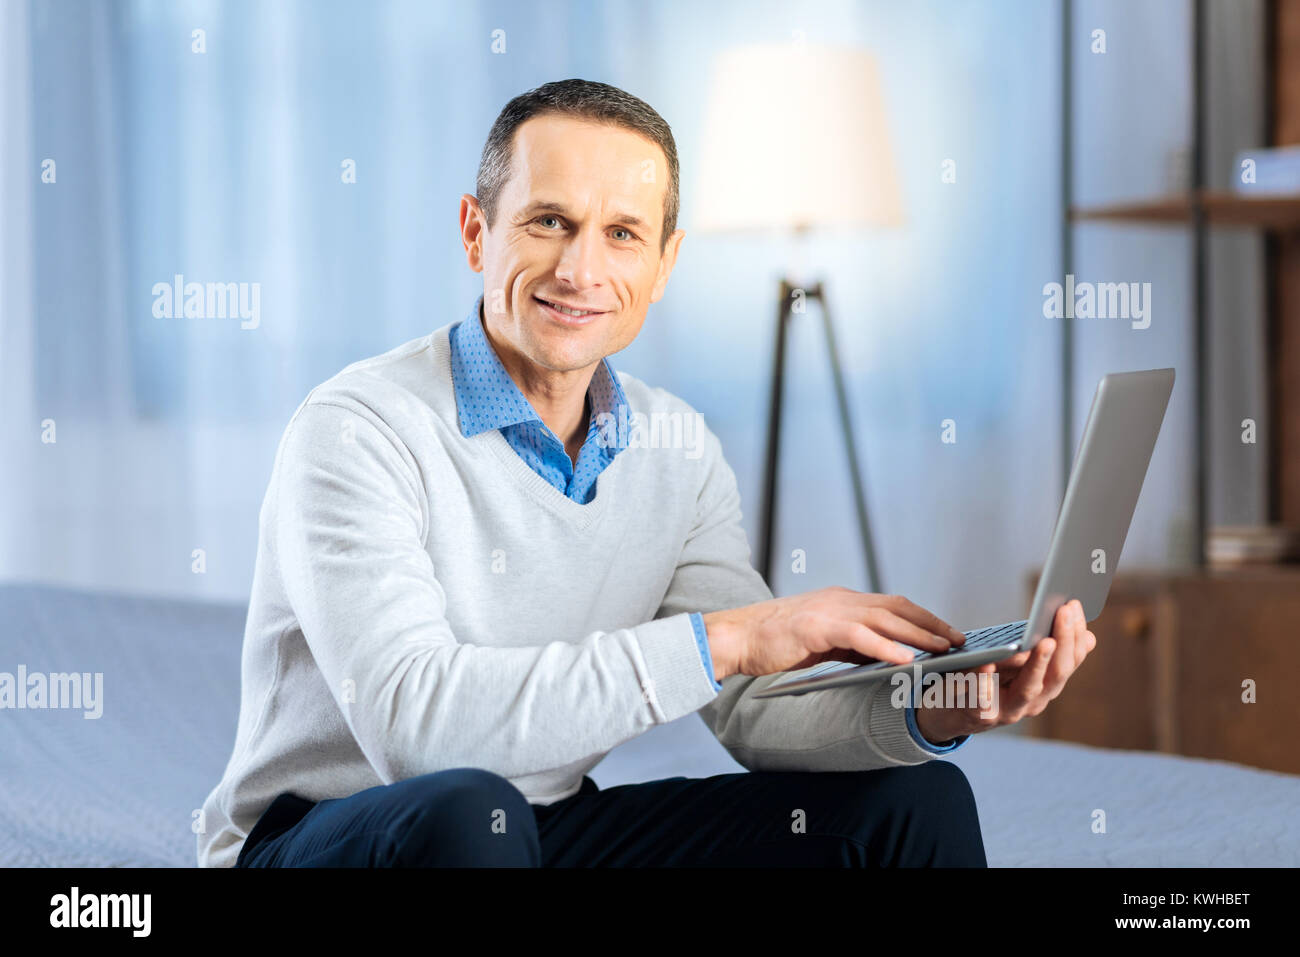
796, 141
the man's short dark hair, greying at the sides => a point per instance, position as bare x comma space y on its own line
582, 99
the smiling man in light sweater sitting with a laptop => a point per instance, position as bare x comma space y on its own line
466, 594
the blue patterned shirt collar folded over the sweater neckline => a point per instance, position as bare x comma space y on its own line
488, 399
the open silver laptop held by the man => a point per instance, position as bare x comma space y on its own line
1108, 475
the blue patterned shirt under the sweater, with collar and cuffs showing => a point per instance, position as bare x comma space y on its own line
488, 399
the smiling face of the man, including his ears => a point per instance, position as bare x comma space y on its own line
578, 224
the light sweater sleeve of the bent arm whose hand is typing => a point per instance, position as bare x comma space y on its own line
350, 521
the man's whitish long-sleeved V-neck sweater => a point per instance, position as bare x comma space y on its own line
423, 601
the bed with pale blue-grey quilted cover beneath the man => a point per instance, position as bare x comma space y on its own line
120, 791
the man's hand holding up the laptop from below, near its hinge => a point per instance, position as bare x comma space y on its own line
1026, 682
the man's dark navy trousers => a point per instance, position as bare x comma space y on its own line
900, 817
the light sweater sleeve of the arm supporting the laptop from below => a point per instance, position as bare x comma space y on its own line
833, 730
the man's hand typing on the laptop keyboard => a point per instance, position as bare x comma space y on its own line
829, 625
